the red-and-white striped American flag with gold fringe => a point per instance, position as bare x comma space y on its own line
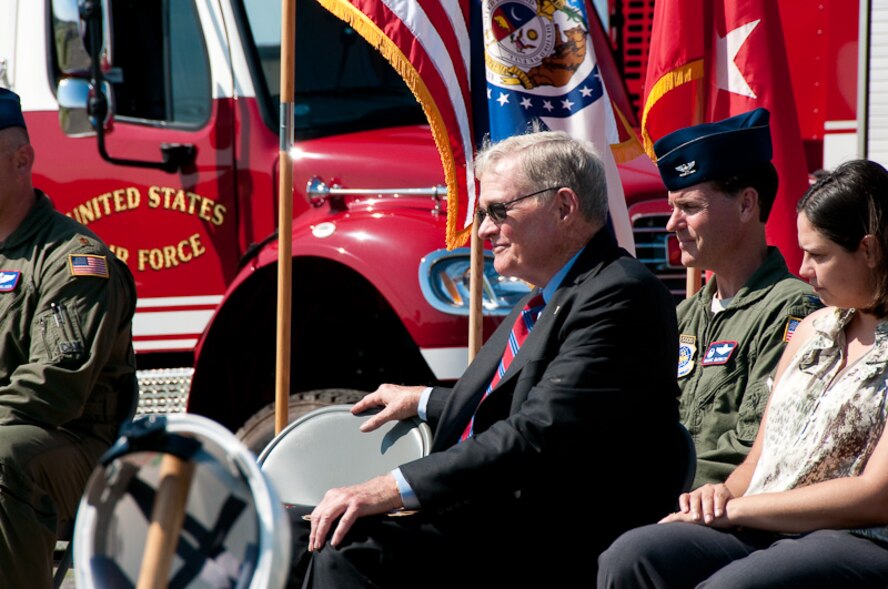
427, 42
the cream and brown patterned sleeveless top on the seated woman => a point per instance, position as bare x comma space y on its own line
822, 425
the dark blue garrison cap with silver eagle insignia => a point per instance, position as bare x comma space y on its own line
714, 151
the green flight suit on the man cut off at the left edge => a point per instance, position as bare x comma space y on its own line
66, 369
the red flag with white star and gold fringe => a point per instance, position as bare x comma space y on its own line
712, 59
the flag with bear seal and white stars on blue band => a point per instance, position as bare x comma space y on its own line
539, 65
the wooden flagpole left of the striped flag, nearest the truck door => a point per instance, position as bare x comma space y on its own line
285, 218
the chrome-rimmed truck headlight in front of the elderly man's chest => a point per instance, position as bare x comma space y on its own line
444, 280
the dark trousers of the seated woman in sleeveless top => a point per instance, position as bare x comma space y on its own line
678, 555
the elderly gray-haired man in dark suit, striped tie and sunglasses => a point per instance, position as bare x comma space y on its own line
566, 416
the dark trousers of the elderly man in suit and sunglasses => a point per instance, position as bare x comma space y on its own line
464, 550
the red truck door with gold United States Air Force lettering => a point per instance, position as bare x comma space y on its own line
170, 84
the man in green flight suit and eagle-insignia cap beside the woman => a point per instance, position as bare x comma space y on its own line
722, 185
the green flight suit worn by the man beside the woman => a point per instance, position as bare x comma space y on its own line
726, 360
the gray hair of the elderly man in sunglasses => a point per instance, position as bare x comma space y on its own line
550, 159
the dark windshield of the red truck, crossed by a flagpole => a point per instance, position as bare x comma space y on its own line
342, 84
